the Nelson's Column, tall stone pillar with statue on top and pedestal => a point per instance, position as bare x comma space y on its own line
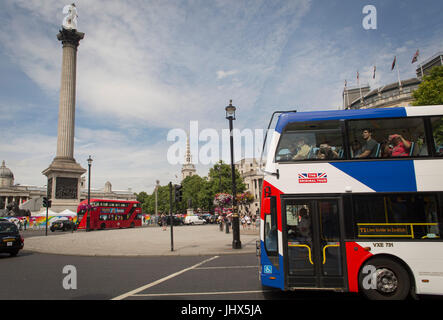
64, 172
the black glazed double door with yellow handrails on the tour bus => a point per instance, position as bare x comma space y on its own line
313, 245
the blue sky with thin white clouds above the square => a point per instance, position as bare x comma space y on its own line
146, 67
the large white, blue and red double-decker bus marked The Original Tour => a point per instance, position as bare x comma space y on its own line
352, 200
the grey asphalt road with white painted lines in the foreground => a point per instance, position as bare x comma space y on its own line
40, 276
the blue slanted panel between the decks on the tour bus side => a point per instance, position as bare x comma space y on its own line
384, 176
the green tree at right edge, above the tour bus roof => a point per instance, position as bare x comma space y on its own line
430, 91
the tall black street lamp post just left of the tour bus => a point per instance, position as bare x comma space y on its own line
236, 243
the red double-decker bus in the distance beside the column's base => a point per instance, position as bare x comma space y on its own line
107, 214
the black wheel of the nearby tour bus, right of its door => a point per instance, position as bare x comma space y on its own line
385, 279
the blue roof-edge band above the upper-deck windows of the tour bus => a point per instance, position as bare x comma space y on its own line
286, 118
